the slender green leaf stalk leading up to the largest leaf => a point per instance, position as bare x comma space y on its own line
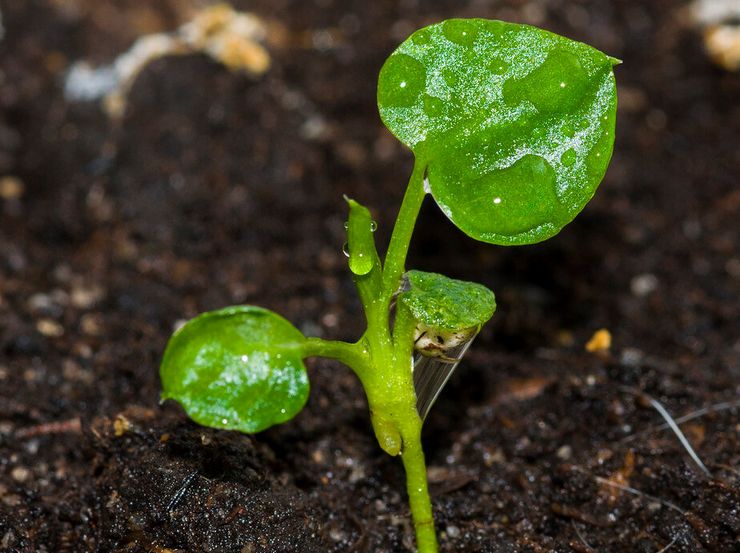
395, 257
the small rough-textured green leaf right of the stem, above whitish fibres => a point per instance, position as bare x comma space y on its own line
446, 304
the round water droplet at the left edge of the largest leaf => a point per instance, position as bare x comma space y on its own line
402, 80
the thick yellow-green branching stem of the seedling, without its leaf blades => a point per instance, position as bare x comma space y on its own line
384, 364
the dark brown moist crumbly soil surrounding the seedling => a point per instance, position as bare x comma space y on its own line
217, 188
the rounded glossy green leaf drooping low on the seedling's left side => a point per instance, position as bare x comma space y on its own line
238, 368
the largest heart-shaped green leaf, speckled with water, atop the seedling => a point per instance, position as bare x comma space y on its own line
515, 123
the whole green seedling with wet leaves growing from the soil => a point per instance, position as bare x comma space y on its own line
512, 129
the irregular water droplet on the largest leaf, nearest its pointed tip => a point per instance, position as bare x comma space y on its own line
544, 87
